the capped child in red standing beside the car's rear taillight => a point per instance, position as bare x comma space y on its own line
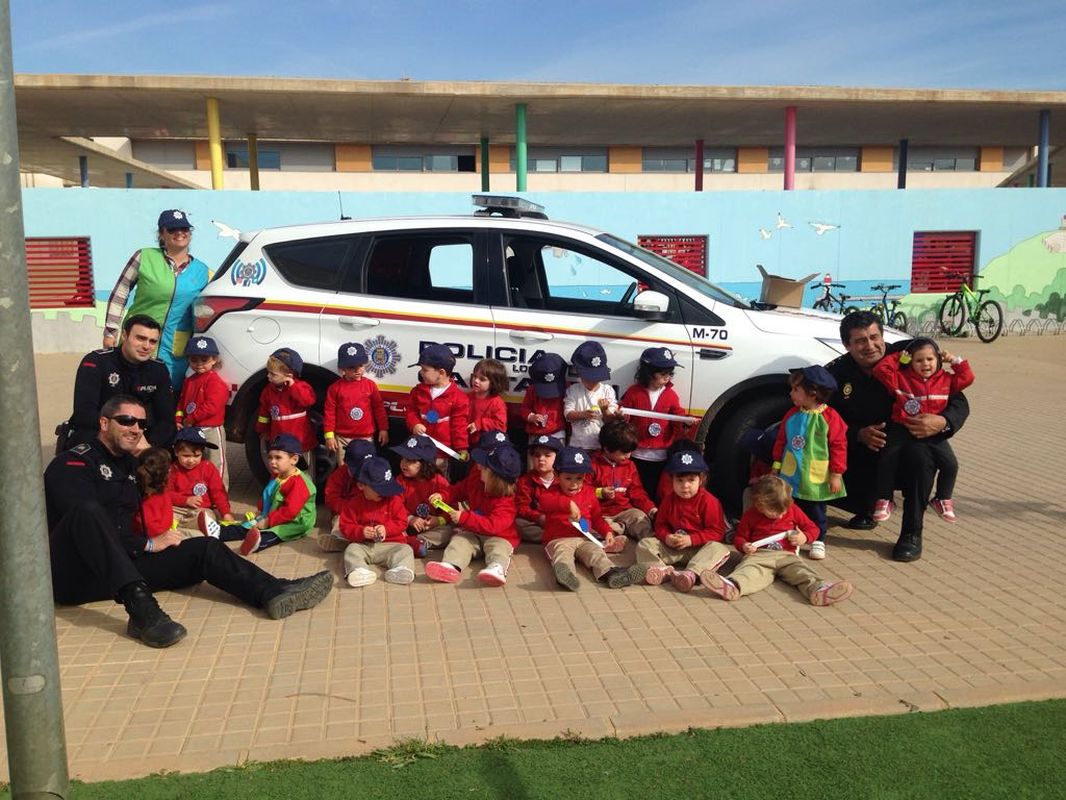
204, 398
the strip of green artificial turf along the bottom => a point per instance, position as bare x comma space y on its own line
1010, 751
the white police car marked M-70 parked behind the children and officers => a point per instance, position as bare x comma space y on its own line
505, 283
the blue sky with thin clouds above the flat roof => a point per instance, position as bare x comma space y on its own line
936, 44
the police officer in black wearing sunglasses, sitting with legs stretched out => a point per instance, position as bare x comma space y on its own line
92, 500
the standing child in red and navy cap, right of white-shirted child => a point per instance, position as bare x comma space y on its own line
654, 392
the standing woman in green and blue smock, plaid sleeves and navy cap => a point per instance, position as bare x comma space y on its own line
168, 280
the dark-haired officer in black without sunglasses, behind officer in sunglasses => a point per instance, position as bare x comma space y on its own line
130, 370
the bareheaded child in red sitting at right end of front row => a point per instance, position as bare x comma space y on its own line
770, 535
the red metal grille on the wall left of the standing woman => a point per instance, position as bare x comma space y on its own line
60, 273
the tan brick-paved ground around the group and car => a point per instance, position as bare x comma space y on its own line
979, 620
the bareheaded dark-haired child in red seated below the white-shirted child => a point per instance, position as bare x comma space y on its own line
625, 504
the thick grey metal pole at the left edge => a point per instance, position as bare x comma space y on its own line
29, 660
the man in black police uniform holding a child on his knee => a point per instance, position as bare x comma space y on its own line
866, 406
